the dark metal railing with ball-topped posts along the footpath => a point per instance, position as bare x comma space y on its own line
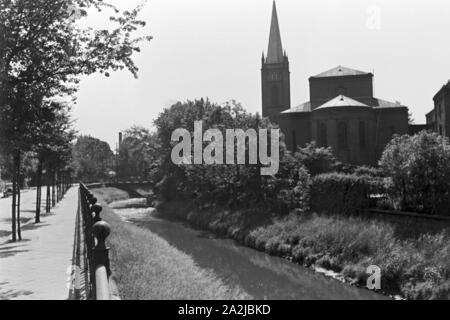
96, 253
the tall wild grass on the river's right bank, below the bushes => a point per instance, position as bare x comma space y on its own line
416, 269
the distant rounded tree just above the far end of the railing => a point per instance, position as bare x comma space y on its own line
92, 159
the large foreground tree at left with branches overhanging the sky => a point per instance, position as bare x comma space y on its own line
43, 53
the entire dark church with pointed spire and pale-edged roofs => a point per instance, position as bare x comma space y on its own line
342, 112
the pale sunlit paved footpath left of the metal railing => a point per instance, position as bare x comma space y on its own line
38, 267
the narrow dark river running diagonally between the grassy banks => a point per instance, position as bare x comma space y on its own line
261, 275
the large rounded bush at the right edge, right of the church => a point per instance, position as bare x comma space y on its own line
420, 170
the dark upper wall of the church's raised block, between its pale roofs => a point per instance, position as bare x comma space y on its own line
325, 89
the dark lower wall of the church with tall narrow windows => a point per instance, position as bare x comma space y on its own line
379, 124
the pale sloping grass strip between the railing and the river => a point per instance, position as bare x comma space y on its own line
146, 267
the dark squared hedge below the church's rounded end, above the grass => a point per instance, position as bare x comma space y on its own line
337, 193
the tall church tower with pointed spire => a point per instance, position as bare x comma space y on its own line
275, 75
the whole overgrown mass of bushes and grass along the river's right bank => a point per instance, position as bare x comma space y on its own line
311, 211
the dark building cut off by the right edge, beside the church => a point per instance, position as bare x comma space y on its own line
439, 117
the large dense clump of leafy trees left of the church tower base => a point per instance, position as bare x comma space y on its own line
228, 185
